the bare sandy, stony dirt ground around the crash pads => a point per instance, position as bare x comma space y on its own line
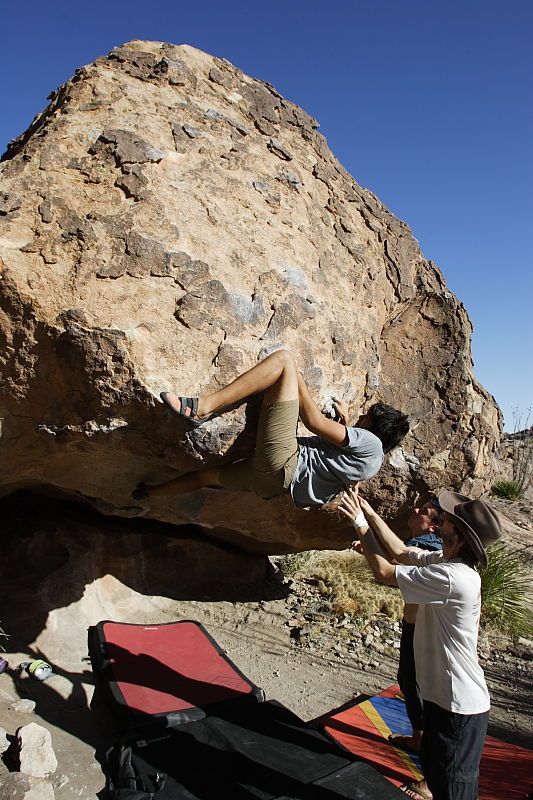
281, 635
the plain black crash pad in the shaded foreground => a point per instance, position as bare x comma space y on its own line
253, 752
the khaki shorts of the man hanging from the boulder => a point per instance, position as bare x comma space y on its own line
270, 470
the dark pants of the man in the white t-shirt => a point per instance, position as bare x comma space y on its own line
451, 750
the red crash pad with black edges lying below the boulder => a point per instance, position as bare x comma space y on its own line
175, 670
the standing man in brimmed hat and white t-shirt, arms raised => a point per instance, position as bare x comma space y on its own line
447, 589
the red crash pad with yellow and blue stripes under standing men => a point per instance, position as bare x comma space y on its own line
506, 771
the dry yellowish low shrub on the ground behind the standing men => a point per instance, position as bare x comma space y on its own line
346, 579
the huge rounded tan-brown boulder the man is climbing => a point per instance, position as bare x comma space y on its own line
166, 222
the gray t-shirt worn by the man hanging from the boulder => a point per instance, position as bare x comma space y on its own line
325, 469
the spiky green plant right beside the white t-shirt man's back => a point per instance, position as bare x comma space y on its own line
506, 591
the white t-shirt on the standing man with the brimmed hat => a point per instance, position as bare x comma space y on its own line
448, 594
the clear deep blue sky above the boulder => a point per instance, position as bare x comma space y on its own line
427, 103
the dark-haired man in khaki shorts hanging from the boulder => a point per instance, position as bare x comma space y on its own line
312, 468
